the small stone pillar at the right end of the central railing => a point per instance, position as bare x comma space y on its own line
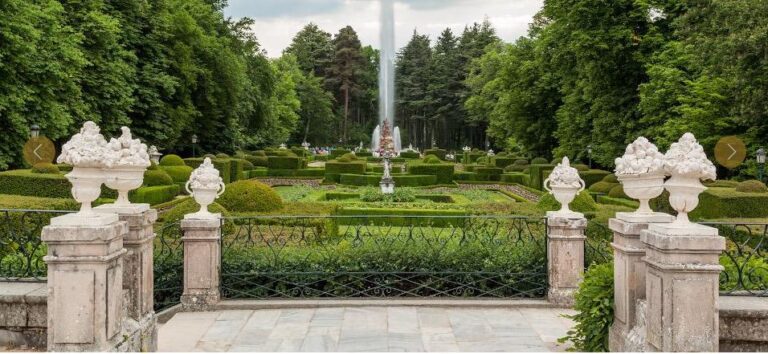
565, 254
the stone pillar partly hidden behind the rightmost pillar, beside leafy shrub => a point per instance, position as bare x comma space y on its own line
628, 272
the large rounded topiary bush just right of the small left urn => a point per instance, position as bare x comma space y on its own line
250, 196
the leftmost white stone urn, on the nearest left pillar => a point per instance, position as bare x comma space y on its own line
88, 154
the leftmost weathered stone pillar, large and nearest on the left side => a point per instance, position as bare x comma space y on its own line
85, 282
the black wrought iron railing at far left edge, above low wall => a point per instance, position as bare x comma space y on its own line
21, 249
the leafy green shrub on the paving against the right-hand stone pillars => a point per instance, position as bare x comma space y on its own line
594, 303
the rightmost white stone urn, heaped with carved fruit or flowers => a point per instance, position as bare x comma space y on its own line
687, 164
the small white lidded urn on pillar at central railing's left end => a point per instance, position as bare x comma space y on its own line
205, 185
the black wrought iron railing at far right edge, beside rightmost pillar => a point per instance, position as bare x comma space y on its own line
745, 258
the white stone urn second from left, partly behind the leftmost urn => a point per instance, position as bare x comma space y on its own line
129, 160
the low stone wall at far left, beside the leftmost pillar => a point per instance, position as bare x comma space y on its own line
23, 315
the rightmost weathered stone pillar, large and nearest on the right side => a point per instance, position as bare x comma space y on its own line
682, 287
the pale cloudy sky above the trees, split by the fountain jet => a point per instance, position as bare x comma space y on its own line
277, 21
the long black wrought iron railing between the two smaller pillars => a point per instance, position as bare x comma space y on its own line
383, 256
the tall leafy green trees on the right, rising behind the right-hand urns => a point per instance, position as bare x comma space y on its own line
603, 73
